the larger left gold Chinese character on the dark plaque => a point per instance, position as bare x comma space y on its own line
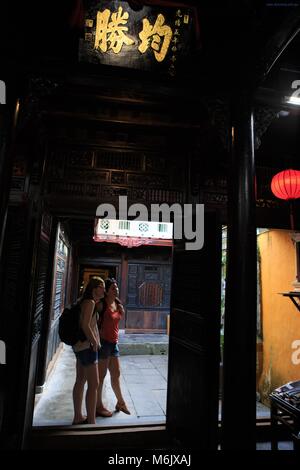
111, 34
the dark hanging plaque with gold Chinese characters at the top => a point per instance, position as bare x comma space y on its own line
151, 38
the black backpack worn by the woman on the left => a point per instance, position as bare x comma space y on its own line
69, 327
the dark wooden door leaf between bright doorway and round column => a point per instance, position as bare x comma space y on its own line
194, 347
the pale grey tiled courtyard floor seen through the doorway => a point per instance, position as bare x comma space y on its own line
143, 382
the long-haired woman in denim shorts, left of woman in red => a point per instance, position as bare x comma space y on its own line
86, 352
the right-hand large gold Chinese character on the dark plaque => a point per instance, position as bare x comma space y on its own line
160, 34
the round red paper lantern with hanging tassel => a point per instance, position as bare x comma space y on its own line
286, 185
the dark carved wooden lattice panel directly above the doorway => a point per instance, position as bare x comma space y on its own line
106, 174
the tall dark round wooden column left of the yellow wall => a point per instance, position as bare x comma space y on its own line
239, 394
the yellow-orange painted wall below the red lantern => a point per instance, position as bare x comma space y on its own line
280, 318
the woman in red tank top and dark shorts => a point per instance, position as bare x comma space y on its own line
109, 352
